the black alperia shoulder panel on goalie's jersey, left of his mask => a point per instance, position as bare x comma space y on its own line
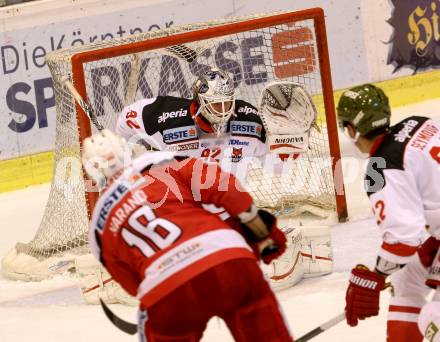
166, 112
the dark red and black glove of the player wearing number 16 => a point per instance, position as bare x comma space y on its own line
266, 240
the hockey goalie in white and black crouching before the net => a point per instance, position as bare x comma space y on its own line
218, 127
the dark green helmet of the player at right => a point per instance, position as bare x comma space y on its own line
366, 107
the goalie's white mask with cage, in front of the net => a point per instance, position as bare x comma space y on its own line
214, 91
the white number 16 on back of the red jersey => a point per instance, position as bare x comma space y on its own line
154, 233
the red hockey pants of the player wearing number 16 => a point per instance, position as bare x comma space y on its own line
234, 291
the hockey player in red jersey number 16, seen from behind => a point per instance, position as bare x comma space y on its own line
183, 263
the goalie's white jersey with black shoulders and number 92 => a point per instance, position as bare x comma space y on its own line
166, 123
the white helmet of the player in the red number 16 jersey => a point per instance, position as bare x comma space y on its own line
103, 155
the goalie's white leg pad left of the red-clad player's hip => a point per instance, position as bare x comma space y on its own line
95, 282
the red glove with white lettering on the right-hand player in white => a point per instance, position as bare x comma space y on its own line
363, 293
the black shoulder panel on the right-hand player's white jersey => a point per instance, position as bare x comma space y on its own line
391, 151
